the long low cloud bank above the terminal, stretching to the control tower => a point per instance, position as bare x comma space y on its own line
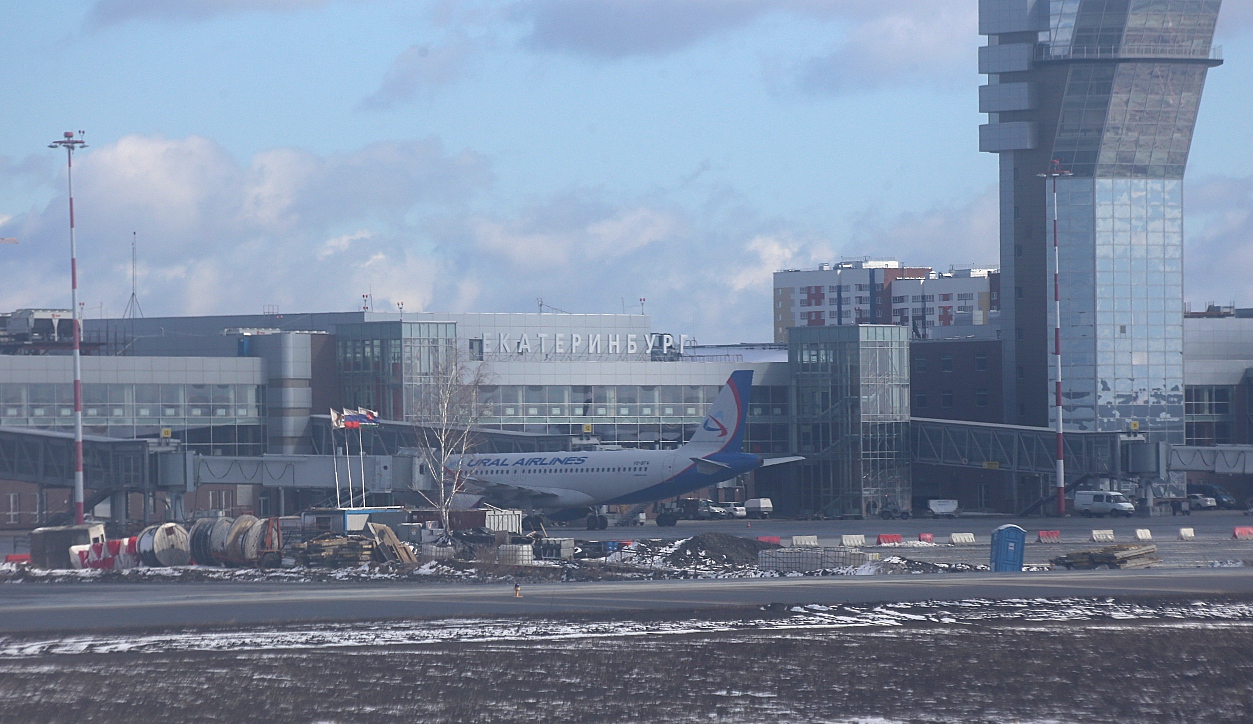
408, 221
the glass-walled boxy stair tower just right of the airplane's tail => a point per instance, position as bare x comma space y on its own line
851, 386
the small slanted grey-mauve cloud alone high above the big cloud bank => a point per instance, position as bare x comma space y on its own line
424, 68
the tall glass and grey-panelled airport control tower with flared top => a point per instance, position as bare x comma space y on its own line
1111, 90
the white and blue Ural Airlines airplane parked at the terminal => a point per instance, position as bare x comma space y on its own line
563, 483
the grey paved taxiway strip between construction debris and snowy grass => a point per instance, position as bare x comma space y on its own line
66, 608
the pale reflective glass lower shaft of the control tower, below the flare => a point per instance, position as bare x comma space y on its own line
1122, 328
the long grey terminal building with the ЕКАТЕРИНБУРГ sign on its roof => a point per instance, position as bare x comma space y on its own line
236, 388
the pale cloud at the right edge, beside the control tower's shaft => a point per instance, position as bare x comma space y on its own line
1219, 249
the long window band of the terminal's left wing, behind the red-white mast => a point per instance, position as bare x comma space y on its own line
209, 419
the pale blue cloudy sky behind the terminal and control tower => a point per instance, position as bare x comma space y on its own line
476, 156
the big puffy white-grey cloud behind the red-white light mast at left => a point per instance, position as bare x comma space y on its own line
216, 236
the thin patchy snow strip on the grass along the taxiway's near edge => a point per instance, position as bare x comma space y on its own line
885, 617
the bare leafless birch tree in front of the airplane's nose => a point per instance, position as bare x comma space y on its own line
444, 416
